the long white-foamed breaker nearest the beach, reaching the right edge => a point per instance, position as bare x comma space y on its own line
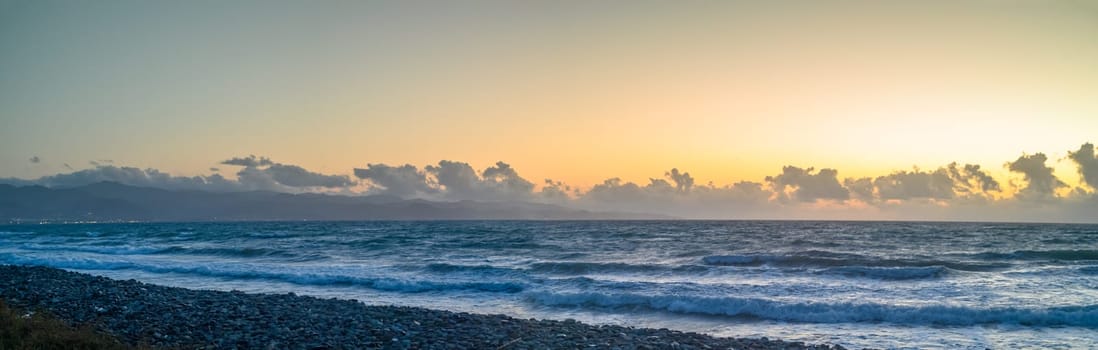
828, 313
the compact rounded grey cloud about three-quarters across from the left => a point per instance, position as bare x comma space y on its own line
802, 185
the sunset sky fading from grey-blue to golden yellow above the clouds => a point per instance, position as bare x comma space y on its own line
747, 93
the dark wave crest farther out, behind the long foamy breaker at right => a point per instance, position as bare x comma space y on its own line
832, 259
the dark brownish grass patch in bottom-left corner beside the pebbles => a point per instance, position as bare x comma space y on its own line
40, 331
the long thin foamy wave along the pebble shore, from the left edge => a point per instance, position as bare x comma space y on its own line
253, 273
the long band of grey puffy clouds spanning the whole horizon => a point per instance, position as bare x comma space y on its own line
954, 191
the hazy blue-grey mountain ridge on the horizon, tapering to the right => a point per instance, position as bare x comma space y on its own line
111, 201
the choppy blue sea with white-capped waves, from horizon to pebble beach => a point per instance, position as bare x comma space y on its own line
923, 286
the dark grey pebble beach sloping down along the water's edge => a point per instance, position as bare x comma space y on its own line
174, 318
